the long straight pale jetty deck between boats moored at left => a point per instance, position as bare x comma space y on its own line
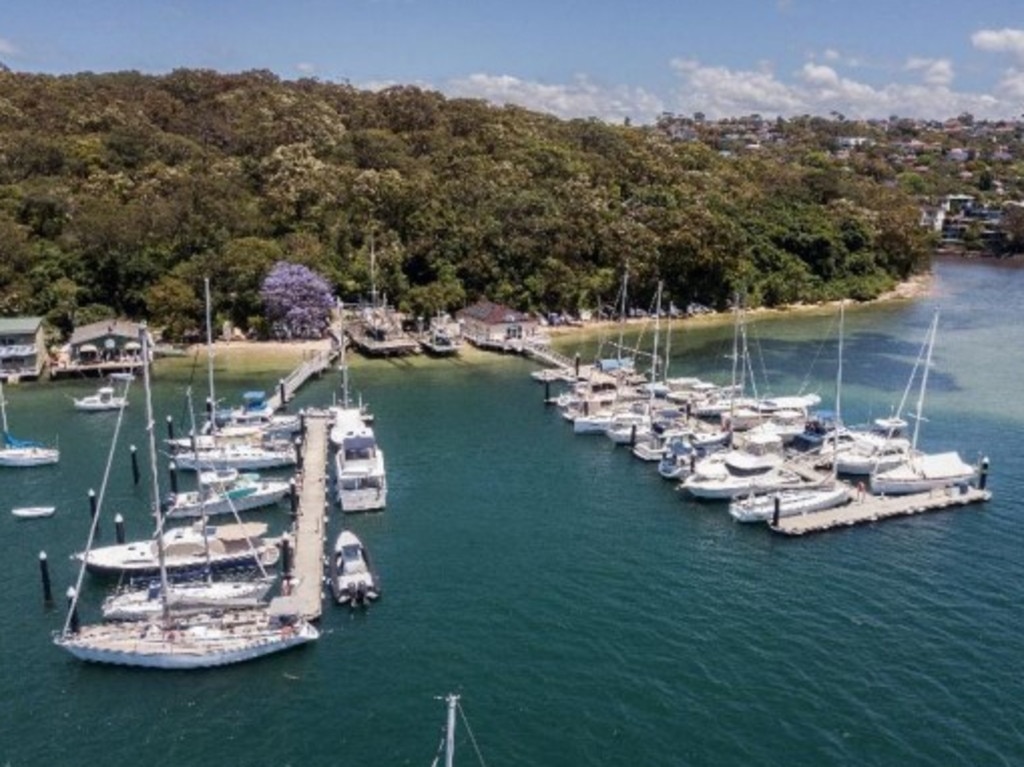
310, 528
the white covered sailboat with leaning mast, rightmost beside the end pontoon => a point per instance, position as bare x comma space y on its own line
921, 473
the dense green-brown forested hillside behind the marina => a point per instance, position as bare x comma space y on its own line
119, 193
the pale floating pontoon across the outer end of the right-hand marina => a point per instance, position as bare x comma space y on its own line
867, 509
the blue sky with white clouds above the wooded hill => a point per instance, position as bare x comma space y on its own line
573, 59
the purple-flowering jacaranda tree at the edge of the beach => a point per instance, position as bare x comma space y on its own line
297, 302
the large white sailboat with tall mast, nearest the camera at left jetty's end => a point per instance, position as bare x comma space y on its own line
180, 642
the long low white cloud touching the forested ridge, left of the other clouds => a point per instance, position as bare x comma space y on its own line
582, 98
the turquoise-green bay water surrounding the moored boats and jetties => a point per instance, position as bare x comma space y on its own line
586, 612
